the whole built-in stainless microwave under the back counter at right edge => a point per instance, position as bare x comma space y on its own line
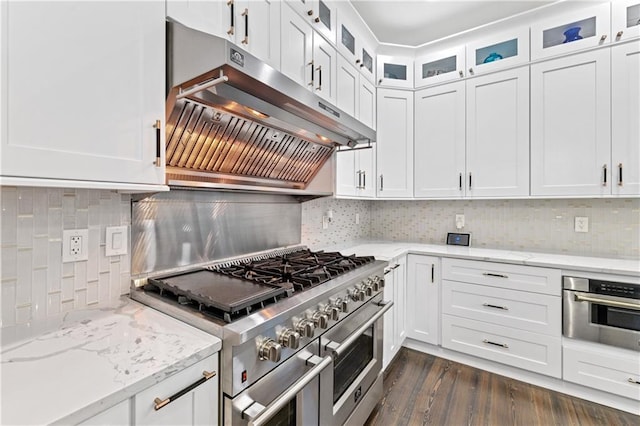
602, 311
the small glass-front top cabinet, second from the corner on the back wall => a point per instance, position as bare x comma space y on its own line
438, 67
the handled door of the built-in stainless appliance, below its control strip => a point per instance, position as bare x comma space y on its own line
600, 318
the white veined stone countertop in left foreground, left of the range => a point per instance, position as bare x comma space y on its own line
79, 364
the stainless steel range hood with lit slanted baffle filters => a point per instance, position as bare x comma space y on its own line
234, 122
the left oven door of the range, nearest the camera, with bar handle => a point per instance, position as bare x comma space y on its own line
287, 396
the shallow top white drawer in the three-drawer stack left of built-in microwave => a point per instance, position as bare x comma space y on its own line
515, 277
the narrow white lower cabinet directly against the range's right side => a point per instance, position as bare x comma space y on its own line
395, 320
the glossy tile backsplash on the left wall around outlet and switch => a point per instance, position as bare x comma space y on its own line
35, 283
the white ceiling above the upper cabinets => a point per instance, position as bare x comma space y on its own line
417, 22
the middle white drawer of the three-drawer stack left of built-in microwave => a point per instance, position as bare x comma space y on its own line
539, 313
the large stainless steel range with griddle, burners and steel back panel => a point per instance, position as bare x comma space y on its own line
301, 330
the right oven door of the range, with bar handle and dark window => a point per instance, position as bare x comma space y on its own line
356, 347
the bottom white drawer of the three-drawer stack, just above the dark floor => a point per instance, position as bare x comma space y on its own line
522, 349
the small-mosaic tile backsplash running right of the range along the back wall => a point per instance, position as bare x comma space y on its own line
527, 225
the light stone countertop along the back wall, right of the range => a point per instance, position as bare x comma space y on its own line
388, 250
